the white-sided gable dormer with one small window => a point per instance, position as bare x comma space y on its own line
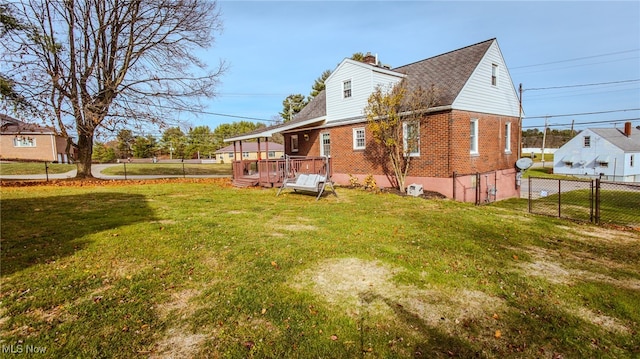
349, 86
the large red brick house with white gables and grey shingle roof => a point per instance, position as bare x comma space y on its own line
469, 141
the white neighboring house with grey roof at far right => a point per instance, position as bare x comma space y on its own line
609, 153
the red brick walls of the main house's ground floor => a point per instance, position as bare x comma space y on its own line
444, 146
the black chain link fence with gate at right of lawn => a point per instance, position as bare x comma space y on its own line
594, 201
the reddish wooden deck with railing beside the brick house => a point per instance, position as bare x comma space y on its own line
271, 173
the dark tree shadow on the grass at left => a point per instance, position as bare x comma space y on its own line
44, 229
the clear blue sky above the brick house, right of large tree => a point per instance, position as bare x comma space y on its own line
277, 48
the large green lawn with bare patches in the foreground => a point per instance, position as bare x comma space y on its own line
198, 269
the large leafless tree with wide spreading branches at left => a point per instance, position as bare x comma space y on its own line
95, 65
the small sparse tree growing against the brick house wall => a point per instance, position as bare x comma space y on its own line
394, 118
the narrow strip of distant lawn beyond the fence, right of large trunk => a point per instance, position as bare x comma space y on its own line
169, 169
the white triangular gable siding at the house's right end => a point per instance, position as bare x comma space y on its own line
480, 95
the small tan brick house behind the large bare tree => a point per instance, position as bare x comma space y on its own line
30, 142
